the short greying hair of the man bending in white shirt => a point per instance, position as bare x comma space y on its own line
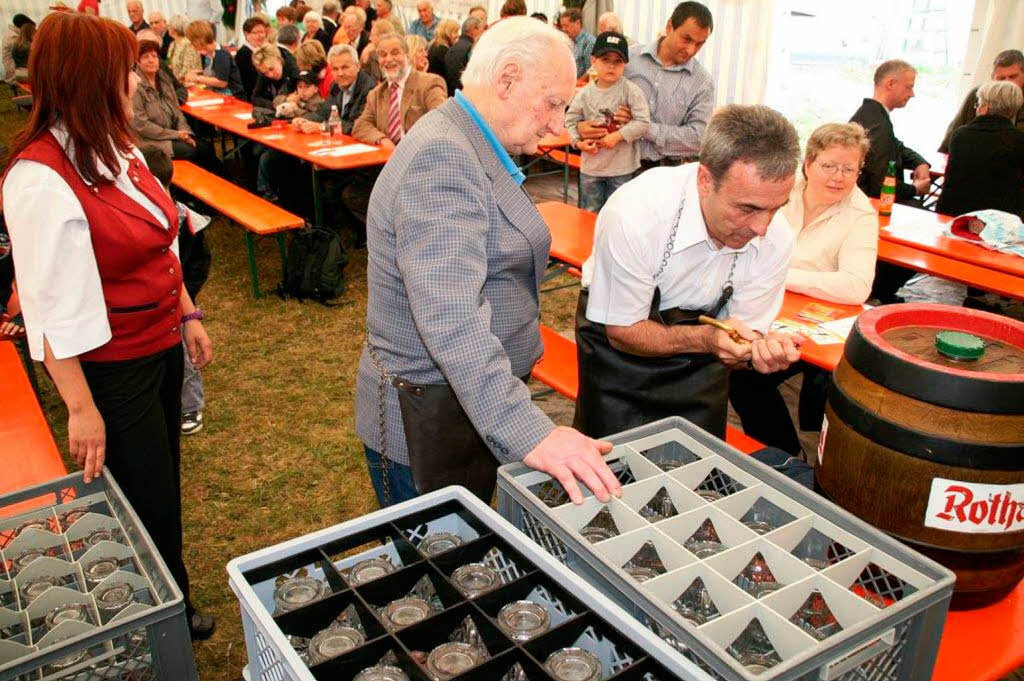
751, 134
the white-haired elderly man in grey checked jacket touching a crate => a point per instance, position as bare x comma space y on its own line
456, 253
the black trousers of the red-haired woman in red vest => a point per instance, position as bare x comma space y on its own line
141, 403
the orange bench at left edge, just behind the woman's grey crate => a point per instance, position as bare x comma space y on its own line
29, 456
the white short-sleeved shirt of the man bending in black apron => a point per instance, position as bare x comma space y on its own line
630, 242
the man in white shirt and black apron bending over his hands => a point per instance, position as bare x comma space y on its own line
675, 243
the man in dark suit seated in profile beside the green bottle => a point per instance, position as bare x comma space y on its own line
893, 89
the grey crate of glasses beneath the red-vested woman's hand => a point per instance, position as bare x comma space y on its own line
51, 536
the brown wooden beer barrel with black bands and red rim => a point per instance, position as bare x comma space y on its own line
931, 449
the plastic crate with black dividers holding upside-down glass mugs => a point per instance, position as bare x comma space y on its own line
579, 615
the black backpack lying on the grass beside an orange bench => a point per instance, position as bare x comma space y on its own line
315, 267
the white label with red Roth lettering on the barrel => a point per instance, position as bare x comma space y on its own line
975, 508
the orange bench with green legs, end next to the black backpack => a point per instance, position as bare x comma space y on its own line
258, 217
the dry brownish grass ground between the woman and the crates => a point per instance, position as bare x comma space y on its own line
278, 457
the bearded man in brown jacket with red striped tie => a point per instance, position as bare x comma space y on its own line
401, 100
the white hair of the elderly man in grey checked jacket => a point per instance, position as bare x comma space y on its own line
519, 40
